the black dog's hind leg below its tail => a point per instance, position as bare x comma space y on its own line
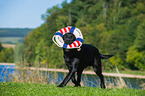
98, 70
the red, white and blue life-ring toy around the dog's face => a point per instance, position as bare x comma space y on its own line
58, 38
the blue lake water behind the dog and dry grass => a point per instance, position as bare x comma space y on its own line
87, 80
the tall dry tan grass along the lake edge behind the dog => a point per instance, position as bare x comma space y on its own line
26, 74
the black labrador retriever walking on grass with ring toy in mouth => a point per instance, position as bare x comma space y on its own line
78, 59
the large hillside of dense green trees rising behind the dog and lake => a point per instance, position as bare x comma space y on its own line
113, 26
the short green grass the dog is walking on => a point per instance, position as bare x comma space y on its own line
31, 89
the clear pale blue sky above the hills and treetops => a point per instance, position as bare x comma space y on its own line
24, 13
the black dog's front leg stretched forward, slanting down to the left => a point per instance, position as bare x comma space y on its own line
71, 73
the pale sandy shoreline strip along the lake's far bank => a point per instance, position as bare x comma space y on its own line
84, 72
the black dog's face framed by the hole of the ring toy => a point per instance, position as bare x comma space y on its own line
69, 38
